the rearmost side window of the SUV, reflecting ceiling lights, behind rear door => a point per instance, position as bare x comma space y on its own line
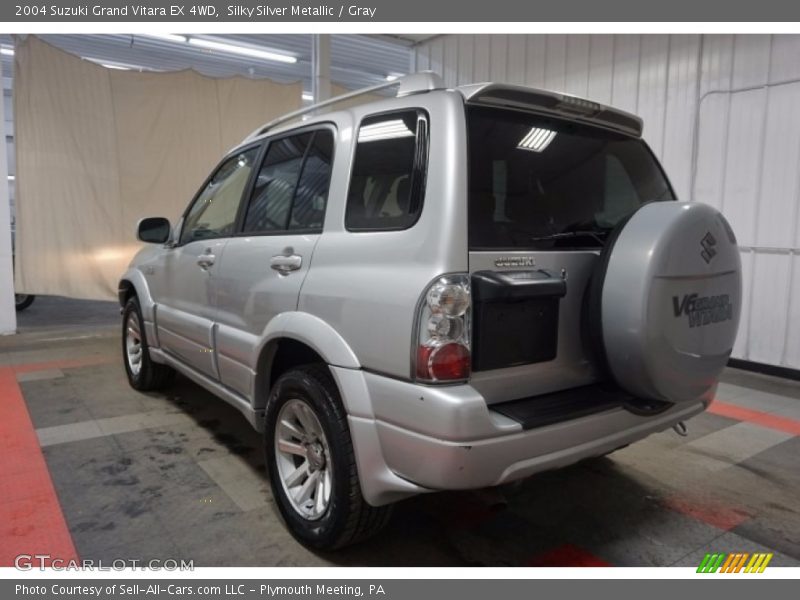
388, 179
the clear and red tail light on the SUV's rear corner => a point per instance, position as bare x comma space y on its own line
442, 351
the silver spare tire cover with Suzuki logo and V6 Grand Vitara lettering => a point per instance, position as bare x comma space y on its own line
664, 301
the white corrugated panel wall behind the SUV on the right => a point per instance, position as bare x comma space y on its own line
722, 112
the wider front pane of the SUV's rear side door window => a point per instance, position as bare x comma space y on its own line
271, 201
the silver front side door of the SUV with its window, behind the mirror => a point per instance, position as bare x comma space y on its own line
185, 282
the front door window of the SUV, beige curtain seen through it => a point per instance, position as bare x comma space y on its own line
213, 213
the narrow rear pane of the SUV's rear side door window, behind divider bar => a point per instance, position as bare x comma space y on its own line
308, 209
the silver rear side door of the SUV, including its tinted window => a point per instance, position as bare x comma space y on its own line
266, 262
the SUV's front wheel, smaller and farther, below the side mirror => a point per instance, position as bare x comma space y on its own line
143, 374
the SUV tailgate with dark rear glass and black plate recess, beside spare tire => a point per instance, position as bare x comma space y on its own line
544, 193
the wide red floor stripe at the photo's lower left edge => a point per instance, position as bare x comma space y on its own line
31, 521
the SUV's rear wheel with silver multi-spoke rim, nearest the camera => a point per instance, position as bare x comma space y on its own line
311, 463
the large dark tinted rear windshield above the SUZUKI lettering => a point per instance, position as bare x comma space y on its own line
542, 183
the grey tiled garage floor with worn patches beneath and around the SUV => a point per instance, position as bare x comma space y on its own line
180, 475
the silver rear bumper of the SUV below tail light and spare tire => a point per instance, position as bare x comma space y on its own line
412, 439
